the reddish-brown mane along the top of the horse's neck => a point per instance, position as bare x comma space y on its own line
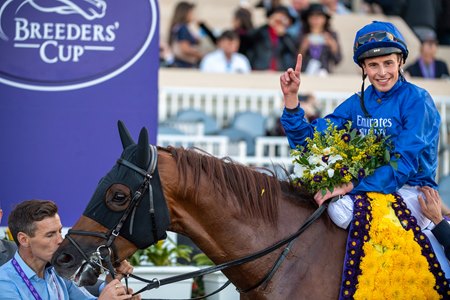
256, 192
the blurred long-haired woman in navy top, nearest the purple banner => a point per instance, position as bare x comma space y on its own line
183, 42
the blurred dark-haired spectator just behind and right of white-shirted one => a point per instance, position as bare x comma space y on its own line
243, 25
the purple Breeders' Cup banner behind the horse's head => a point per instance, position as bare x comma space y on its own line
69, 70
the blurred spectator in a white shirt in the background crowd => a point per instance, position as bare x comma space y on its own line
226, 59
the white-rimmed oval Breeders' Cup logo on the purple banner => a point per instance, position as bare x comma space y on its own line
70, 44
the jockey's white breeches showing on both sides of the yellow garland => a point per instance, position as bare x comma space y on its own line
341, 212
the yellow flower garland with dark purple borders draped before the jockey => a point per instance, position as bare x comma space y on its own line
387, 256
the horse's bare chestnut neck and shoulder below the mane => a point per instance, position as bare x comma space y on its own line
223, 233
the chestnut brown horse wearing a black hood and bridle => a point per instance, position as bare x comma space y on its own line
227, 209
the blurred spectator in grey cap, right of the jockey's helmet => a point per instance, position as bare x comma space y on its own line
427, 66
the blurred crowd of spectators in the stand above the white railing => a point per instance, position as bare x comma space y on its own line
304, 27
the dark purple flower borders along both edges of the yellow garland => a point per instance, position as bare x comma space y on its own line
359, 233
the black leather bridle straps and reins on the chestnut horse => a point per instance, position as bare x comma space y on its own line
100, 255
